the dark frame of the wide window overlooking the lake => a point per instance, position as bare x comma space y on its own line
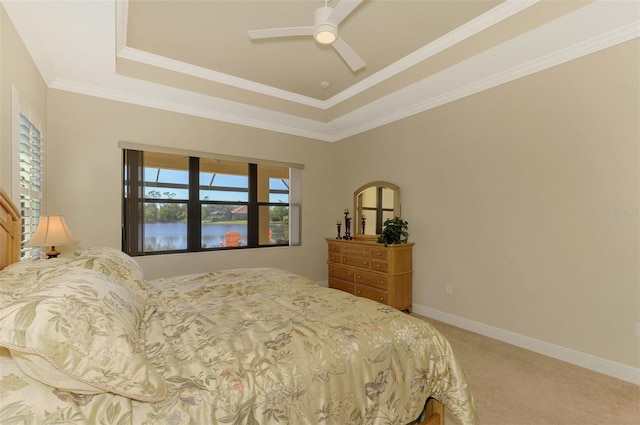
133, 201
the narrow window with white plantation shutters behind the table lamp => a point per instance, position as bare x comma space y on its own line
28, 177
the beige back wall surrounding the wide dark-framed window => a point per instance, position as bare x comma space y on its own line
85, 177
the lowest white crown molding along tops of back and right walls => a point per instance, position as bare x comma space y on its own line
364, 119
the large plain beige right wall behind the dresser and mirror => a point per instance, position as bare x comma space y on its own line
525, 198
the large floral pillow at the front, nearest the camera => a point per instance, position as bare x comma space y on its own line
78, 331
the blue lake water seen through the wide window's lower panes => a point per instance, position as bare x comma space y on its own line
170, 236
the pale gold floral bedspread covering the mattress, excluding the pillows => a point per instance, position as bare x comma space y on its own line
263, 346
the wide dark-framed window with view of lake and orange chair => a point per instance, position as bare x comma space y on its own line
185, 203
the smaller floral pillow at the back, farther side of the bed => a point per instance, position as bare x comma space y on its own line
112, 262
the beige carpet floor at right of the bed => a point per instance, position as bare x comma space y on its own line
513, 386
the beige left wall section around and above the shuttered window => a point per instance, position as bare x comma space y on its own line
18, 70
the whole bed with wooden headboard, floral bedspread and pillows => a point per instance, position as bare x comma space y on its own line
87, 340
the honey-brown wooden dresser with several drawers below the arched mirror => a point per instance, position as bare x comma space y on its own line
368, 269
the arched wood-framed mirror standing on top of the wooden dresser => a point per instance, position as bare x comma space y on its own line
375, 202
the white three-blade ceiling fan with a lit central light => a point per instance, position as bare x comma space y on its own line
324, 31
